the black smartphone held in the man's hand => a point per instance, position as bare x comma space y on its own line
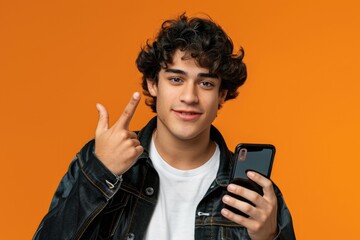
255, 157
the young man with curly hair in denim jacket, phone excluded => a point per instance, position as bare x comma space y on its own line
170, 180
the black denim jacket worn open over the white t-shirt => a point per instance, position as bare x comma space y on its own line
92, 203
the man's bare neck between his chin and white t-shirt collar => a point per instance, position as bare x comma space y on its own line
184, 154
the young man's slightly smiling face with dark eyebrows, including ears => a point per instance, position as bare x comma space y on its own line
188, 97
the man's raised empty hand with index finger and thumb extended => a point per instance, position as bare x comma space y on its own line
117, 147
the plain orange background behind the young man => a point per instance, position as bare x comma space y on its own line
58, 58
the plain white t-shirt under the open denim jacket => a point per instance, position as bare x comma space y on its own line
180, 193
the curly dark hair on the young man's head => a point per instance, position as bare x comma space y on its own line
205, 41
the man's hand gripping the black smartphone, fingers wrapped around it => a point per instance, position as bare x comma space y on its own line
262, 220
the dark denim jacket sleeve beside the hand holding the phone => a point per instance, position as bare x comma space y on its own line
285, 223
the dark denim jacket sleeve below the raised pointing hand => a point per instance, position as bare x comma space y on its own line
82, 194
